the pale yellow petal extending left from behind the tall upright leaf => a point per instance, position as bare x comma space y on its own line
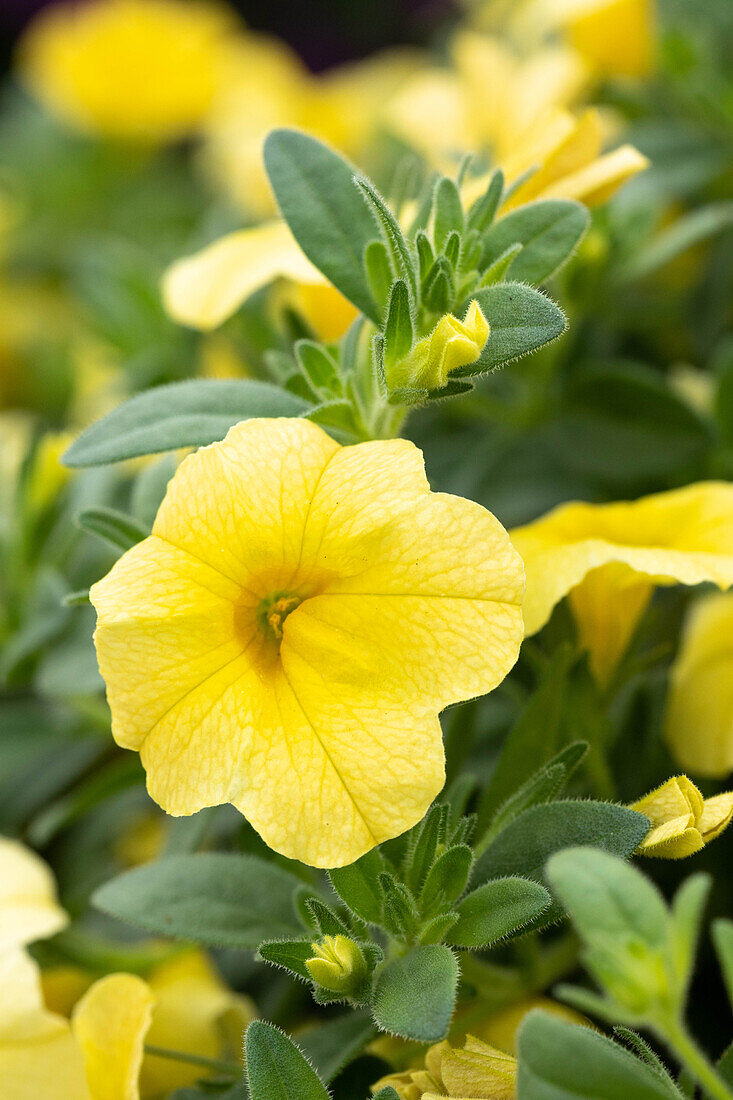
204, 290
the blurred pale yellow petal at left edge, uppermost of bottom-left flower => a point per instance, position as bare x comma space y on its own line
29, 909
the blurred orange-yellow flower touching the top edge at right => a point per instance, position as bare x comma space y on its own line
616, 38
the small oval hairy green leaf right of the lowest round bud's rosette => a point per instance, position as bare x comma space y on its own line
498, 910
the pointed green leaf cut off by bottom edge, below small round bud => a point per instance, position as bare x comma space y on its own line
276, 1068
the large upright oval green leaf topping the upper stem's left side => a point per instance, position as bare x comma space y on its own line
315, 191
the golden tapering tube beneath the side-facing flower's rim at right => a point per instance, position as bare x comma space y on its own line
607, 607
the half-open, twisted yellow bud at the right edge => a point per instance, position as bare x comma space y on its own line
683, 822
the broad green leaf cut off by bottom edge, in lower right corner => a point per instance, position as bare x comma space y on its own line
560, 1061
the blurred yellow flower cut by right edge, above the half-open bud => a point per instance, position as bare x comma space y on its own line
699, 719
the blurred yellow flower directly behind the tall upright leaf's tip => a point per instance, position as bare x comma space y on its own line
267, 86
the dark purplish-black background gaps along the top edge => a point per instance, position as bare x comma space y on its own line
324, 32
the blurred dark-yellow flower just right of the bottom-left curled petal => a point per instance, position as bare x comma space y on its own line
194, 1013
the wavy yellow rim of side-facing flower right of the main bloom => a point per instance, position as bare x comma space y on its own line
684, 536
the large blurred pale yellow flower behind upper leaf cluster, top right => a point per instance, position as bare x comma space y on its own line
517, 109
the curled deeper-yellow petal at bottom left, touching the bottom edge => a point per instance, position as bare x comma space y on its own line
111, 1024
